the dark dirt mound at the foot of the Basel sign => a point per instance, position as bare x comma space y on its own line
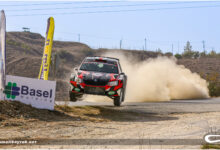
14, 113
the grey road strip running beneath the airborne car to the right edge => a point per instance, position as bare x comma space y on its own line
173, 106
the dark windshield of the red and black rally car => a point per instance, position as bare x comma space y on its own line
99, 67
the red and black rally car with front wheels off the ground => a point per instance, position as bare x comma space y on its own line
99, 76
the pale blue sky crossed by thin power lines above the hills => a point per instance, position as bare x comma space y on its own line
167, 25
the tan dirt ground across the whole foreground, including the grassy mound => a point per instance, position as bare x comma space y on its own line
118, 126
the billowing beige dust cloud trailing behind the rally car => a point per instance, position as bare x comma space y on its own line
158, 79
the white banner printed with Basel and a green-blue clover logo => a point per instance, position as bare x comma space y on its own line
35, 92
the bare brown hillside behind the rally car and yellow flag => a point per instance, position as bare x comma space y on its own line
25, 50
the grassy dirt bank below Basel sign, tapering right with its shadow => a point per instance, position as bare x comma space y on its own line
13, 113
